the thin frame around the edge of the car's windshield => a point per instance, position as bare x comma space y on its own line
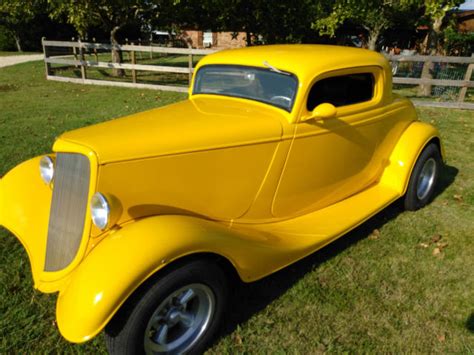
283, 72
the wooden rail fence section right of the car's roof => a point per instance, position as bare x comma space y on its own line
464, 84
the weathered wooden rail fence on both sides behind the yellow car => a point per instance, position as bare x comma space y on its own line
79, 50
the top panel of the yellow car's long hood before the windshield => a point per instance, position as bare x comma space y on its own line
202, 123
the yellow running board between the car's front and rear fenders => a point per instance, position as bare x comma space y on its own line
294, 239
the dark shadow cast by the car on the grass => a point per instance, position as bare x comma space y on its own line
249, 299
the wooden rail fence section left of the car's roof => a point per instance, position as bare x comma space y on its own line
77, 58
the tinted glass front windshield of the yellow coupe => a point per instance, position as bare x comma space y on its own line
264, 85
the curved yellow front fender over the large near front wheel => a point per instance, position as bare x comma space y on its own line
120, 263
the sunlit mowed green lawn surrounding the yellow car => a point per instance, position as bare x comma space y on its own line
402, 282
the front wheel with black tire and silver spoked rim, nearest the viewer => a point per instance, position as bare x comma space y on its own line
125, 333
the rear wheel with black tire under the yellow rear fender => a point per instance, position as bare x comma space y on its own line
423, 178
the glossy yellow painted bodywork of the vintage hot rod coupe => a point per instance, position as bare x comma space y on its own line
253, 183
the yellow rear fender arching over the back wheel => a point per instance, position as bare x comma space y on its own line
407, 150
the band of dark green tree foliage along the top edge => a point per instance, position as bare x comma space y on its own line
277, 21
